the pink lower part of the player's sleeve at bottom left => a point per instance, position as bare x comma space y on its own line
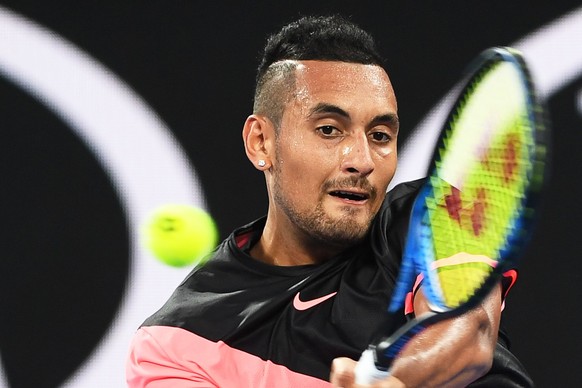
163, 357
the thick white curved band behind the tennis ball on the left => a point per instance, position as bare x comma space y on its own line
140, 155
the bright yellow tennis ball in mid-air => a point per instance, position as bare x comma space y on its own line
180, 235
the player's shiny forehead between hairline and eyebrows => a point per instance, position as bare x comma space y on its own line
344, 84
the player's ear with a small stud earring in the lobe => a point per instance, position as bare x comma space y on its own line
258, 137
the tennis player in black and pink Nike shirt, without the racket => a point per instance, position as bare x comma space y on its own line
306, 287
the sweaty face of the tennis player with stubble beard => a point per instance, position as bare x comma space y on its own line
336, 151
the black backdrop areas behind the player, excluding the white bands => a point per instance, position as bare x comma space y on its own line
68, 259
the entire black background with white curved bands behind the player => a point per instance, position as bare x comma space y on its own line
109, 109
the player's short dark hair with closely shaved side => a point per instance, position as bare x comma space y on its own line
325, 38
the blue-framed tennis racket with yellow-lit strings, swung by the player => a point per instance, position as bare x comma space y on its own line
473, 216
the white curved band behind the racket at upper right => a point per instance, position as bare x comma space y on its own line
554, 57
